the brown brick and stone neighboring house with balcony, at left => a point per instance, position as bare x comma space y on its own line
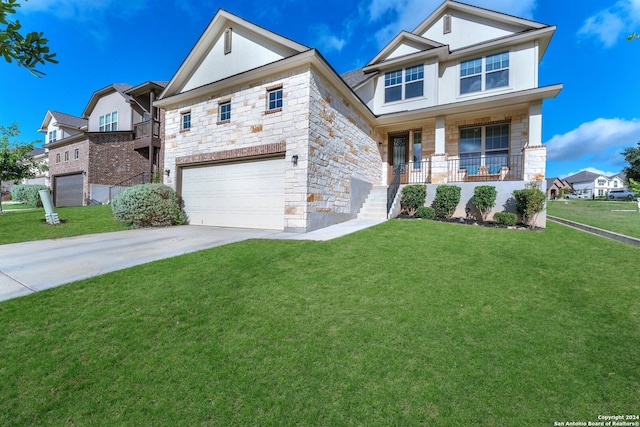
116, 143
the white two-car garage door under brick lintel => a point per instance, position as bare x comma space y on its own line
247, 195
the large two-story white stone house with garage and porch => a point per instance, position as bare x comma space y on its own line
262, 132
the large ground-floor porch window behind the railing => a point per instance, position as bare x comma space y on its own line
484, 146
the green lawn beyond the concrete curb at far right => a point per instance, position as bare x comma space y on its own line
617, 216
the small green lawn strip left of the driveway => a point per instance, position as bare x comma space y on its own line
22, 226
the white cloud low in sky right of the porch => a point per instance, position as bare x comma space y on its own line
601, 139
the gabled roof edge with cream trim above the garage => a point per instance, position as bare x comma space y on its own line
218, 24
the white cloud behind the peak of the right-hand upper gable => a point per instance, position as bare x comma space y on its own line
408, 14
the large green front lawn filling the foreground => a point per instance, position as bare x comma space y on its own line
407, 323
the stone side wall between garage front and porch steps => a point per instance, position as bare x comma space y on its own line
343, 158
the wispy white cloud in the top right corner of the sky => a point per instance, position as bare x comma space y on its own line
613, 24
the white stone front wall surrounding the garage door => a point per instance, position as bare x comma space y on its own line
252, 131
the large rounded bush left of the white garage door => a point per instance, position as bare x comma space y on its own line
148, 205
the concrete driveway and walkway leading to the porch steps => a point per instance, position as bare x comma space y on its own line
30, 267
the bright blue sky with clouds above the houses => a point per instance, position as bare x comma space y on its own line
100, 42
